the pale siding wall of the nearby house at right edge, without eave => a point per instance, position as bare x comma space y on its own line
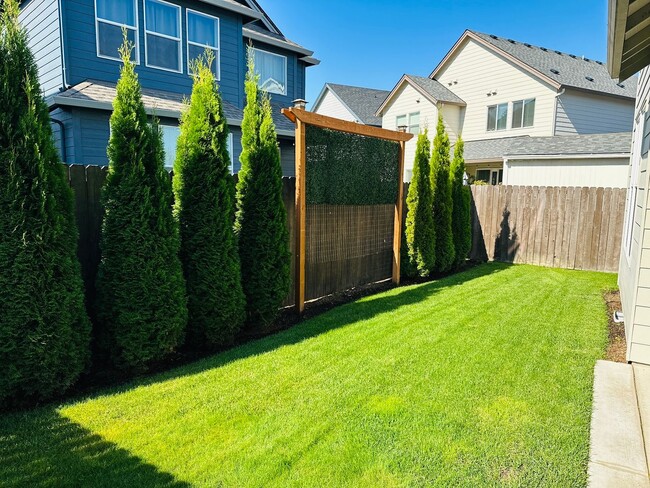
634, 271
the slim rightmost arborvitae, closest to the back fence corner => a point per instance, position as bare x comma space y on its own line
461, 223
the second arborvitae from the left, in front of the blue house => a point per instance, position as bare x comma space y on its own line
142, 308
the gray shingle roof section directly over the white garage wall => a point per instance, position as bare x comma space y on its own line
613, 143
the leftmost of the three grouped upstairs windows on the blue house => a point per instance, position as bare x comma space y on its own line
110, 17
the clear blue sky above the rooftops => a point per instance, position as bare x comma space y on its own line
374, 43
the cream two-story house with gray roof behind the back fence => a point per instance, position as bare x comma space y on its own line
504, 89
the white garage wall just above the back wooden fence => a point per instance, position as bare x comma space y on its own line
606, 173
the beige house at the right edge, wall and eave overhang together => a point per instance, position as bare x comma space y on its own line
629, 52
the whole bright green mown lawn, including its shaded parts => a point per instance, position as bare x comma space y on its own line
480, 379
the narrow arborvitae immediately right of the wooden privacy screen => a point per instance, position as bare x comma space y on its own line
420, 230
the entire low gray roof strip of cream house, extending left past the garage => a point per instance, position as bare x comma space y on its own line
520, 146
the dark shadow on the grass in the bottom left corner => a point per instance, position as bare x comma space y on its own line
44, 449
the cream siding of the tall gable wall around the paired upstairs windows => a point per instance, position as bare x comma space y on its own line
475, 71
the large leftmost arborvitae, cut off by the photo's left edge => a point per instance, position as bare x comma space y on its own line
44, 330
